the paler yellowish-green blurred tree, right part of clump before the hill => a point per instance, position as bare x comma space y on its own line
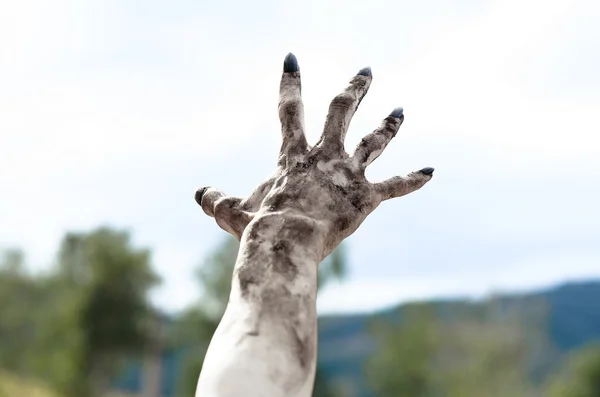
488, 350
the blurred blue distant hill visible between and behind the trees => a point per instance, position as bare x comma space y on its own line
344, 342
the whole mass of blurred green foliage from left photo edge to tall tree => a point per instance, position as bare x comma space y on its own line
74, 326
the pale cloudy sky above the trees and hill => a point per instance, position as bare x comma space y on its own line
114, 112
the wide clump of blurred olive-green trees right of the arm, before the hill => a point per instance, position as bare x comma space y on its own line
488, 349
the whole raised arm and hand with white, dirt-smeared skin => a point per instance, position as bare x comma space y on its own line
266, 342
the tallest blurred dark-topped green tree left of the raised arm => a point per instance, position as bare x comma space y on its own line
100, 311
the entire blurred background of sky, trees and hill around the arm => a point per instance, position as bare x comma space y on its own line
486, 282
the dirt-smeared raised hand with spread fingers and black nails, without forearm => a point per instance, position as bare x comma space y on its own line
322, 185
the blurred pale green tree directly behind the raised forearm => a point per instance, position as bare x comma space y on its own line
197, 324
